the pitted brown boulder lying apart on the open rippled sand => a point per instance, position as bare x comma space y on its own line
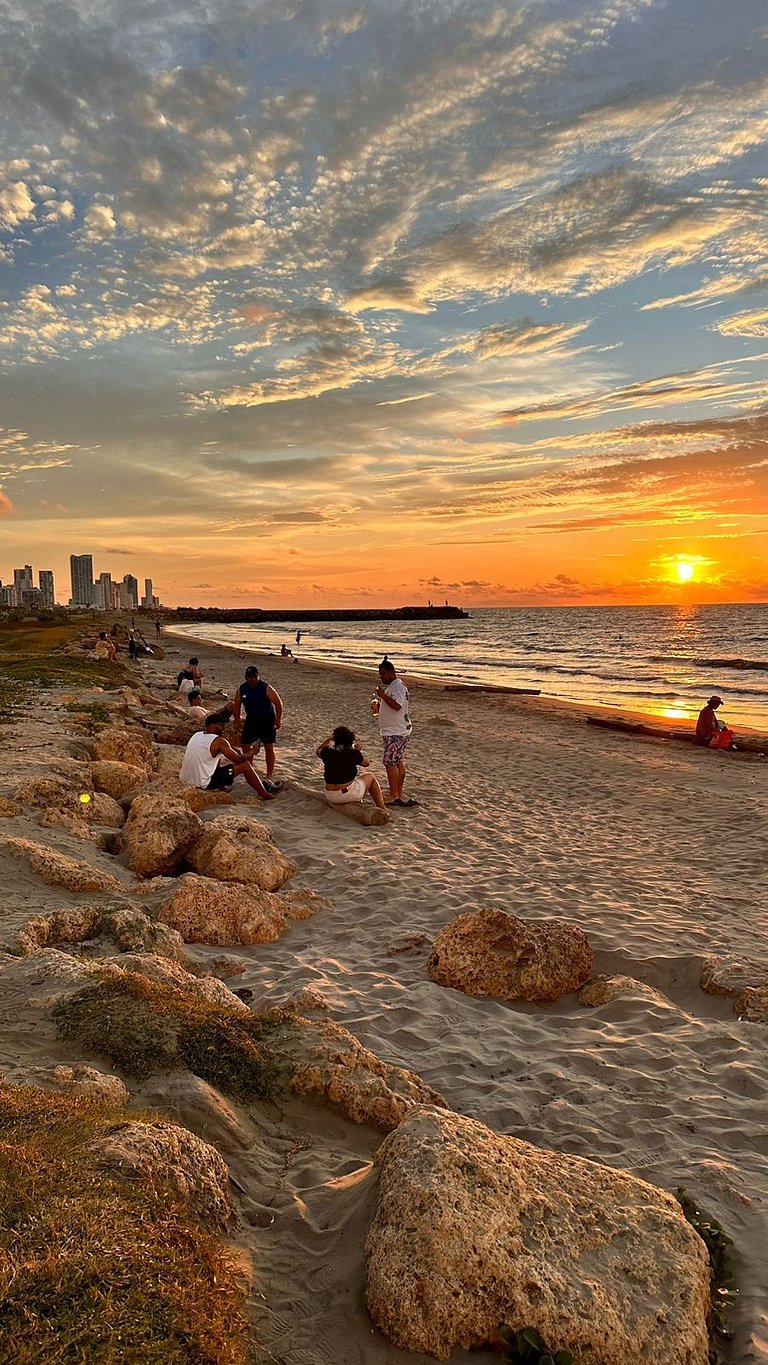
494, 953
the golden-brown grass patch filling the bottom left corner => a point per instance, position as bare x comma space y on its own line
98, 1269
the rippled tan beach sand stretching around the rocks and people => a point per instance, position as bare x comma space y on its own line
658, 851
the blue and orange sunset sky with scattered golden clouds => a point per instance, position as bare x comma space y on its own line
312, 302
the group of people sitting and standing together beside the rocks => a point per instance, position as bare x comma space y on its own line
212, 762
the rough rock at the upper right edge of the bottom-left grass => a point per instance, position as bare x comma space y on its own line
170, 1160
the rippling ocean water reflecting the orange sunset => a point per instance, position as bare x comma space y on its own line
661, 660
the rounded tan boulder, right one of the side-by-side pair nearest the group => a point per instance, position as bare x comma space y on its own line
235, 848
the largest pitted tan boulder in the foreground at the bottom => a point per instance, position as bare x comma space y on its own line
474, 1231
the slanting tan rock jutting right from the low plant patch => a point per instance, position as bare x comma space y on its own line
331, 1064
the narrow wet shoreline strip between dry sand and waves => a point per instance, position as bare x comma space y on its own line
542, 704
